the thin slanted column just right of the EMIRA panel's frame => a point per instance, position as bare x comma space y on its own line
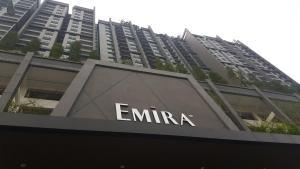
234, 115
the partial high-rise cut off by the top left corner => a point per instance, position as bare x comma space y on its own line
14, 14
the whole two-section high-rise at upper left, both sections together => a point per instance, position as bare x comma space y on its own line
51, 23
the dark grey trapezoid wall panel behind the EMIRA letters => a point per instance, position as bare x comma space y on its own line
107, 86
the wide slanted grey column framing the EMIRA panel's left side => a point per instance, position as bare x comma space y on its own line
66, 102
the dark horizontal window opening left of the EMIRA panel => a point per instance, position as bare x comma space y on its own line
43, 94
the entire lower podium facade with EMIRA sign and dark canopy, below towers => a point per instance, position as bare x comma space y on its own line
55, 112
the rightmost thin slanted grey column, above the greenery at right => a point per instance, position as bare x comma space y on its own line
272, 105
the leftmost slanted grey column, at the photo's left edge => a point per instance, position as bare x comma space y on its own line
15, 82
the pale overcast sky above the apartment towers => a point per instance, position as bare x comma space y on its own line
269, 27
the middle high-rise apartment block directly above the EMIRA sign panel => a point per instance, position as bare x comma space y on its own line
127, 43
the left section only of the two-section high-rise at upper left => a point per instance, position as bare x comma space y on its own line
46, 25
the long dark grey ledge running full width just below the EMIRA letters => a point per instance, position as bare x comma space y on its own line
93, 125
